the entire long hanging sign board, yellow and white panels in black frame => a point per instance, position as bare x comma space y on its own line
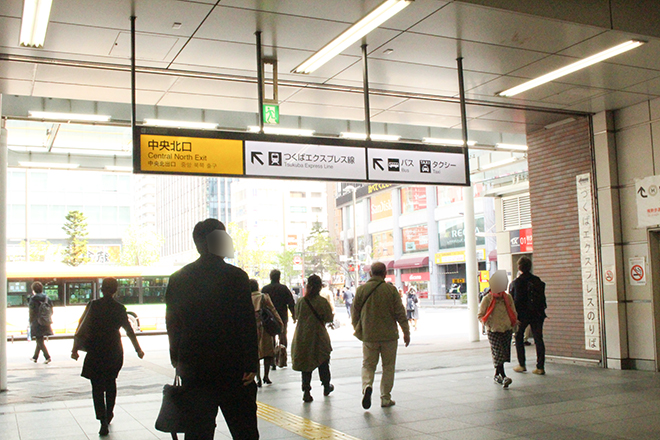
241, 154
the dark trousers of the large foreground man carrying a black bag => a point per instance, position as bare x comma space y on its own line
238, 405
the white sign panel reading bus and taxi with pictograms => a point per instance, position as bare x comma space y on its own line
407, 166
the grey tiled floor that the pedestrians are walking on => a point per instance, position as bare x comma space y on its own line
443, 391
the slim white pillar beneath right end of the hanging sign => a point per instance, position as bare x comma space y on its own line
471, 264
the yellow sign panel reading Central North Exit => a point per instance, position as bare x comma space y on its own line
191, 155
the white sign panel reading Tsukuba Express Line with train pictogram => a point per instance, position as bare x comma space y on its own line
307, 161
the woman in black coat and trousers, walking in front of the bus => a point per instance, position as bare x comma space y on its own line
98, 334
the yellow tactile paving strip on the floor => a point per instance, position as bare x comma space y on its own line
299, 425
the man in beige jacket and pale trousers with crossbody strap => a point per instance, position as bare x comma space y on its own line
376, 310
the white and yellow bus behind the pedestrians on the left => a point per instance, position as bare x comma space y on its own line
141, 290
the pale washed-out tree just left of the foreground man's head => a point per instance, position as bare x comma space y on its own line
140, 247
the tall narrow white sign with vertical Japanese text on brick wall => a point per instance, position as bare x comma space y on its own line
588, 260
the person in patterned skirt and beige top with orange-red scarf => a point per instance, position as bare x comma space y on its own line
498, 312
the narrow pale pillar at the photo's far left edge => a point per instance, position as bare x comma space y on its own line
3, 252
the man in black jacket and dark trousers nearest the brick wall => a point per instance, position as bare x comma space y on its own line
528, 292
